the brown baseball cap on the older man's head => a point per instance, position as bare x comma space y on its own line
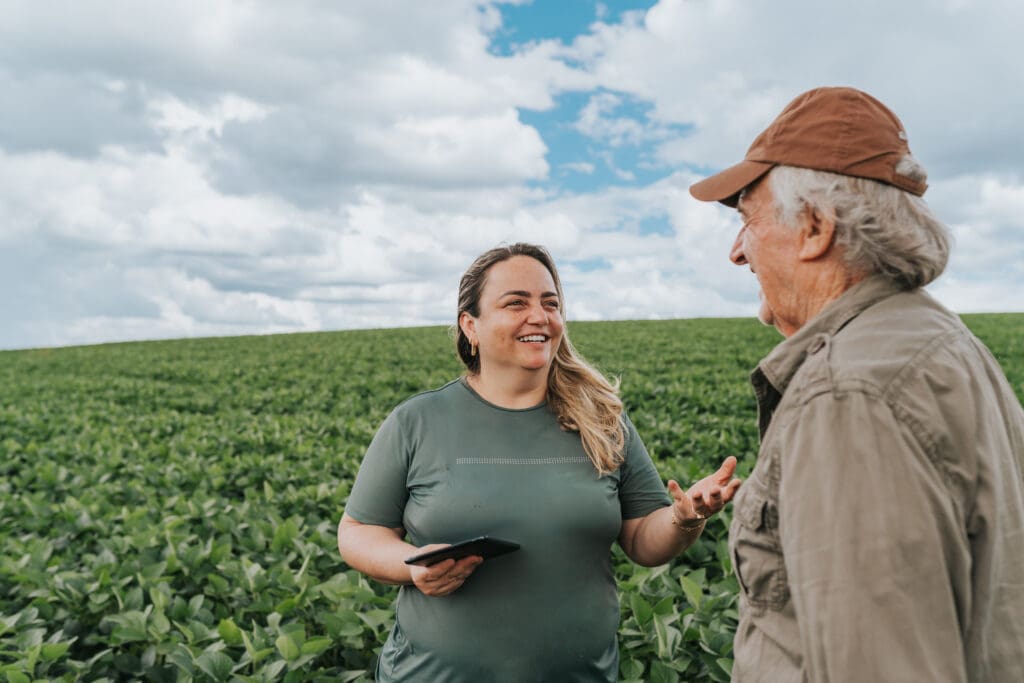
842, 131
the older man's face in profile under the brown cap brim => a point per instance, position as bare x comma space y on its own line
771, 249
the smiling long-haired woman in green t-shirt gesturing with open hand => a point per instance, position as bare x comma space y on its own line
531, 446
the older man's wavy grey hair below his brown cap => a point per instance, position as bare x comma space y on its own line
880, 229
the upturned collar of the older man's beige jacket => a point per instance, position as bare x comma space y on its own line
784, 362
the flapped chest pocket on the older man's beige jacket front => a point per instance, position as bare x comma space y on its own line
756, 552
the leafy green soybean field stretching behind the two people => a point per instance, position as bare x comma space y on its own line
168, 510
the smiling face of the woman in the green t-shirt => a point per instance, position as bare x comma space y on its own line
520, 325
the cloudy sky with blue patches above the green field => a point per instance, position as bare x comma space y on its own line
176, 170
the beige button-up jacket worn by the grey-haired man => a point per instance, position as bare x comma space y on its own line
881, 534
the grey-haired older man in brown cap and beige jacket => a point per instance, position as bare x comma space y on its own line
881, 534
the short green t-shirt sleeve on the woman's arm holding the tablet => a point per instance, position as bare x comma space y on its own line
380, 491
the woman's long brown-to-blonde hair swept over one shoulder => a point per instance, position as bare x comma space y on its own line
580, 397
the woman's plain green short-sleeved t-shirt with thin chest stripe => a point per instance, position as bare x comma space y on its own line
449, 466
